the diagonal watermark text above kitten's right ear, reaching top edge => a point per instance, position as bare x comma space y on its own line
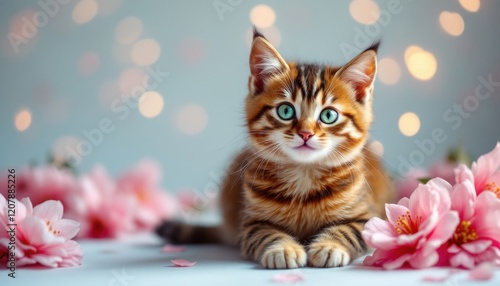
364, 38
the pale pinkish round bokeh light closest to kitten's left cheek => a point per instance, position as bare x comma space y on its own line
192, 119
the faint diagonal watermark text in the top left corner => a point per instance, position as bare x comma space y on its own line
31, 25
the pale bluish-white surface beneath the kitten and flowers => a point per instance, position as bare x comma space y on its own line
139, 261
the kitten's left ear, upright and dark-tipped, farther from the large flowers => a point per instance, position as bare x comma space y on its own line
265, 62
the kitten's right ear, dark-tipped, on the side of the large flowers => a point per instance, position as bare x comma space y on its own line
360, 73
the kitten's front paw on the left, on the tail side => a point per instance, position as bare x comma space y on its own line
284, 255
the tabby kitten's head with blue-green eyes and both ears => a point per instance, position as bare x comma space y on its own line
308, 113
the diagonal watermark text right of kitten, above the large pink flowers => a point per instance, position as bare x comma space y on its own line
454, 117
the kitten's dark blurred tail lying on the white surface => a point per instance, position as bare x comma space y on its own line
182, 233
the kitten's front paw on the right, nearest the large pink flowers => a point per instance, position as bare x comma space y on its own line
327, 255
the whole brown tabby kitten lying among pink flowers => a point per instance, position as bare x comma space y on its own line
302, 191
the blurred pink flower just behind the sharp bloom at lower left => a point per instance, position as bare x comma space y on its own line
102, 212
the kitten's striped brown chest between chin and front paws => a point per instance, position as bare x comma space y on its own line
302, 200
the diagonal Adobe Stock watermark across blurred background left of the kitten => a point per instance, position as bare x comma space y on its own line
121, 107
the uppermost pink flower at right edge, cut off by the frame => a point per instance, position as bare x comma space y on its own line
485, 173
